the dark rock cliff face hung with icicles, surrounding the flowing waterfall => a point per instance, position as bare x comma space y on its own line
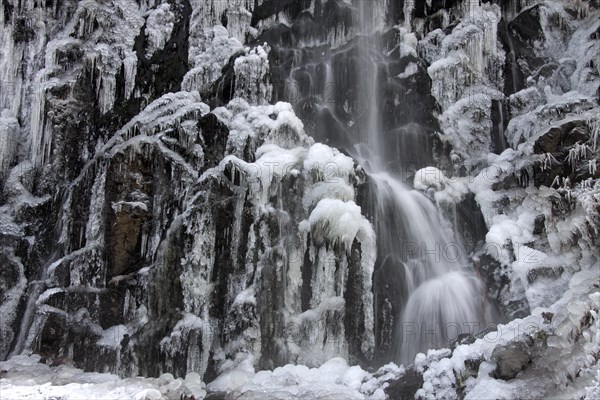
163, 209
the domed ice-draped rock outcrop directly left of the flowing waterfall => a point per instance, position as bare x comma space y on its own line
165, 268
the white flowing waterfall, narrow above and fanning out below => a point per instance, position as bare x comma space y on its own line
442, 295
